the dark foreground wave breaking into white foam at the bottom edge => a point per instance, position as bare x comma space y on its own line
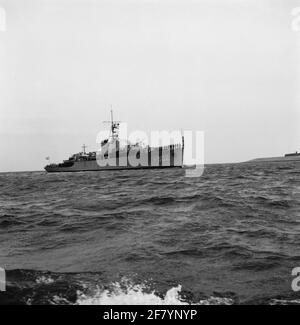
40, 288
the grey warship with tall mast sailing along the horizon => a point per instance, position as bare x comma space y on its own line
112, 155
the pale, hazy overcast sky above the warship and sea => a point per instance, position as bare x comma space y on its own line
230, 68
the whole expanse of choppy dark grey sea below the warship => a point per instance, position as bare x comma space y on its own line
147, 237
